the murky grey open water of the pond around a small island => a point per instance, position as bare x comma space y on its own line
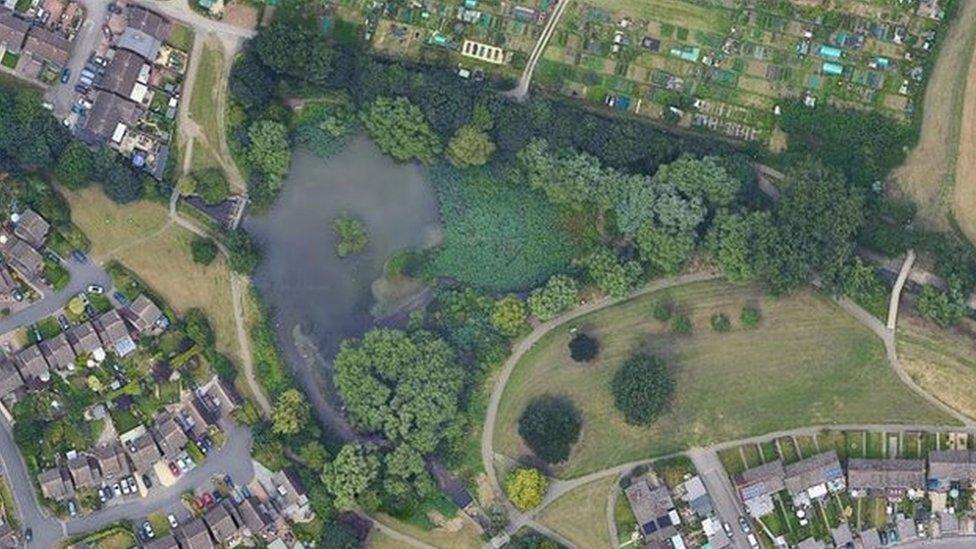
318, 298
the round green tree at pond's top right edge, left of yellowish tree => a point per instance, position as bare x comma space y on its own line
400, 130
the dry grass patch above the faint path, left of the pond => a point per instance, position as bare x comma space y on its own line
110, 226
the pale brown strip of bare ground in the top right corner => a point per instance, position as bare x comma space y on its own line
929, 171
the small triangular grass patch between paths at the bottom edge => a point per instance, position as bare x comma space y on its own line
580, 516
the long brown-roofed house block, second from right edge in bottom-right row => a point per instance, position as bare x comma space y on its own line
893, 478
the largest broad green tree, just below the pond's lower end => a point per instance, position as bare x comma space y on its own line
405, 386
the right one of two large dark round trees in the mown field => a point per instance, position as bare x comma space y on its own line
642, 389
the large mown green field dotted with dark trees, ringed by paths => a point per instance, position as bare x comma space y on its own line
807, 363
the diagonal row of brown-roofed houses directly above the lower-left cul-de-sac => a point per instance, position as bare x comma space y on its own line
137, 452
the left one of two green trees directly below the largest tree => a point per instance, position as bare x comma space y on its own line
352, 476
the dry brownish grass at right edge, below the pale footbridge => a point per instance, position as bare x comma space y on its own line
942, 362
